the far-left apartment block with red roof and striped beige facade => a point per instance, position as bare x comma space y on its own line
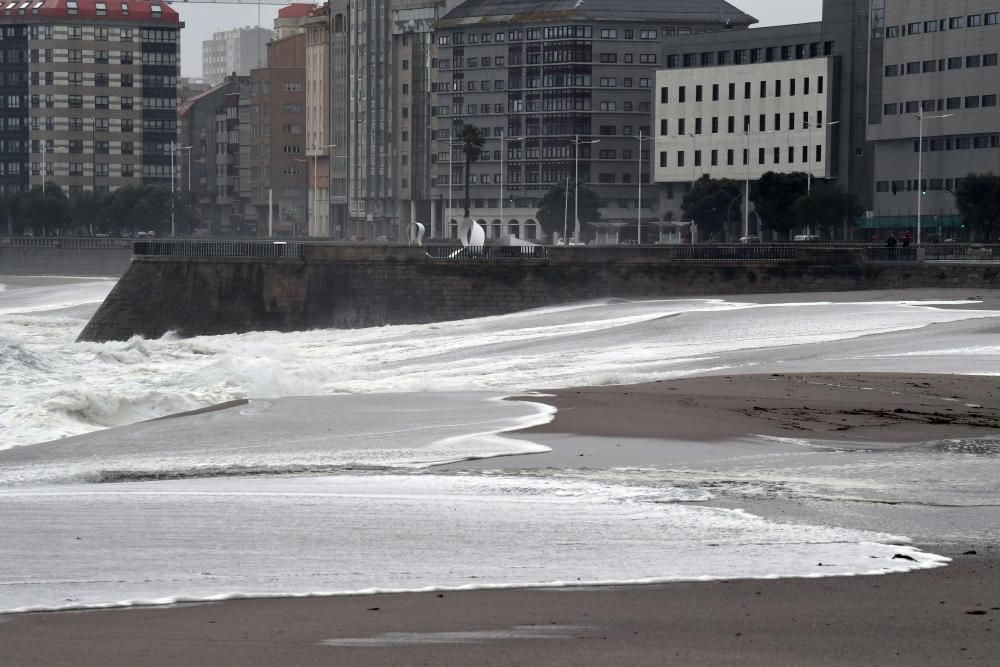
89, 93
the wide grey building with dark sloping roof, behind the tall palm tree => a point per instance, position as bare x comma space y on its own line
544, 87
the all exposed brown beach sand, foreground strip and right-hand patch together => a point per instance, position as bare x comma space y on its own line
942, 616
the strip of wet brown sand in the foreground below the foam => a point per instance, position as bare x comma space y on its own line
938, 616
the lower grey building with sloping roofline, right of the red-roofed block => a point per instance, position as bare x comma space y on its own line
209, 155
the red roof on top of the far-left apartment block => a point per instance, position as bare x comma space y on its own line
112, 10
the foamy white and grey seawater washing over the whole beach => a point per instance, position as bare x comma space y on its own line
326, 480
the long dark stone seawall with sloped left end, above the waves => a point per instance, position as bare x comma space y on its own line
361, 286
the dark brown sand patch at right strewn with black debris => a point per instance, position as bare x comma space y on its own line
857, 407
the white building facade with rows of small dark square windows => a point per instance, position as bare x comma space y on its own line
742, 121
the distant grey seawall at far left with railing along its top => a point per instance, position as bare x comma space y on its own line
64, 257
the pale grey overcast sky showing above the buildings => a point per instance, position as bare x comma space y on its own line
202, 20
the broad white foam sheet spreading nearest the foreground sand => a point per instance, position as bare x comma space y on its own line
203, 540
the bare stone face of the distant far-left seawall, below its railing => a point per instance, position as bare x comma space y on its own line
58, 261
